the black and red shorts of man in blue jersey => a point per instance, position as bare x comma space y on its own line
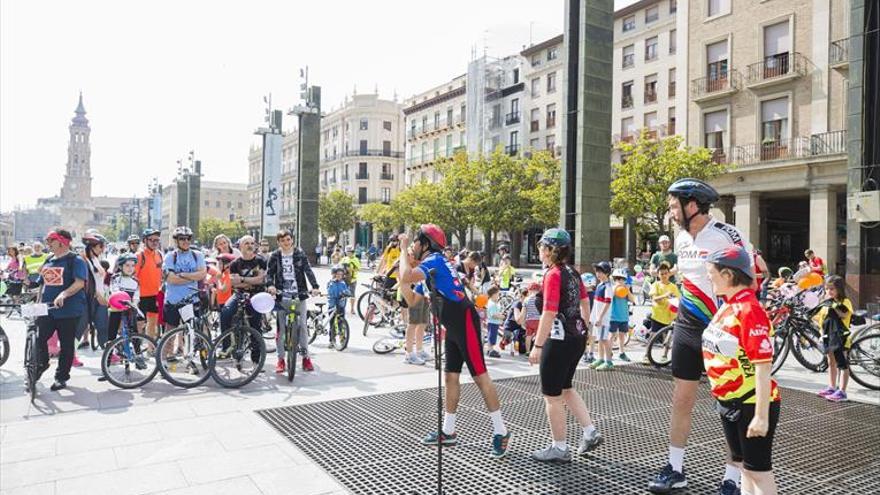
464, 344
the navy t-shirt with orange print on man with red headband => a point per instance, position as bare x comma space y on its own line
58, 274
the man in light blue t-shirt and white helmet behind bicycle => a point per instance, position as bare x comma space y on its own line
183, 268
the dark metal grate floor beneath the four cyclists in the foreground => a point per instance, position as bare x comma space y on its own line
371, 444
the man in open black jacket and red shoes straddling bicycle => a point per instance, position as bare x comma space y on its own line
288, 270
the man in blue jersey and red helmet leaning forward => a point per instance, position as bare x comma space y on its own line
463, 341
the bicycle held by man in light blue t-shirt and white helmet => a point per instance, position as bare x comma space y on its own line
182, 353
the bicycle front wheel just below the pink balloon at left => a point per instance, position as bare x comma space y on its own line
131, 362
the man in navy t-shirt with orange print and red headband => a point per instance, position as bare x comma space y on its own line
63, 275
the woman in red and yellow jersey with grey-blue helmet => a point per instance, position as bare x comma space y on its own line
738, 354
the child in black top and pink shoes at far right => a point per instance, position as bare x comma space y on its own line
834, 319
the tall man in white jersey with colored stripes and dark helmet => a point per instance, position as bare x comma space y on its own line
689, 202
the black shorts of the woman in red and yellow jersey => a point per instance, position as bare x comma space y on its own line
754, 453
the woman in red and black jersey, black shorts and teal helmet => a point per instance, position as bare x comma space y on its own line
559, 345
